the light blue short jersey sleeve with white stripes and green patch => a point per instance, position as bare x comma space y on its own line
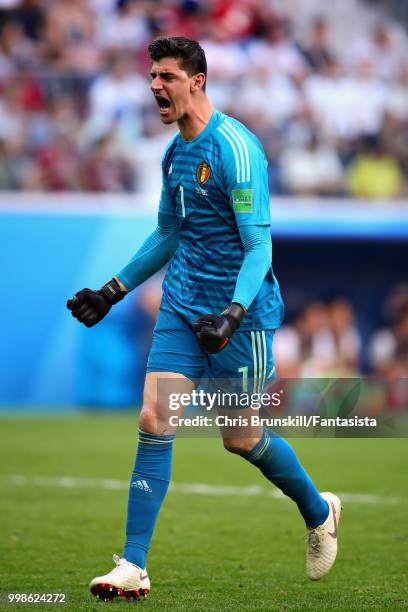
245, 175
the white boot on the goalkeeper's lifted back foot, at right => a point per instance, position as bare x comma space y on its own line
322, 541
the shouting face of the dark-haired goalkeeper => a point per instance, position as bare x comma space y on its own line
173, 89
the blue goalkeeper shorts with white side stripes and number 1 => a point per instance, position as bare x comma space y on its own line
247, 356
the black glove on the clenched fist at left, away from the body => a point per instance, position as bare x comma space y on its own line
90, 307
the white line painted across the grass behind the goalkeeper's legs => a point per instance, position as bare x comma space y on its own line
69, 482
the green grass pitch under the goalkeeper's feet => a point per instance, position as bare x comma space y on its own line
209, 552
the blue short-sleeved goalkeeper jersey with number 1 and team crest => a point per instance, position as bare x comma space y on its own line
213, 185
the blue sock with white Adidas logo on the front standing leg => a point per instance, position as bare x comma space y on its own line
148, 487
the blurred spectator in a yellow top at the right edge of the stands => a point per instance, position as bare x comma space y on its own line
374, 174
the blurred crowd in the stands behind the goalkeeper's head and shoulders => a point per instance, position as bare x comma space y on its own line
76, 112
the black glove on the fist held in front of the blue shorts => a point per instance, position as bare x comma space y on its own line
214, 331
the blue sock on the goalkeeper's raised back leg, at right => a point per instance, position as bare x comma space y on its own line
277, 461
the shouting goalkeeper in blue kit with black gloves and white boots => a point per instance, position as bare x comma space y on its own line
214, 229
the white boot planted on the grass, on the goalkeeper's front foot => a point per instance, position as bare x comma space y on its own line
125, 580
